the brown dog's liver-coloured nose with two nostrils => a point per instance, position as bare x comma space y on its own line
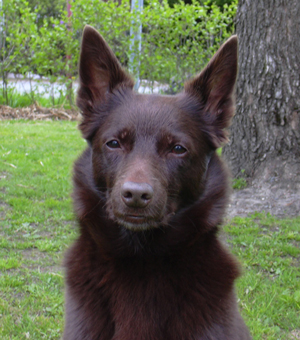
136, 195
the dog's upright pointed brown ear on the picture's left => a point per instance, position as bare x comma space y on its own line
99, 74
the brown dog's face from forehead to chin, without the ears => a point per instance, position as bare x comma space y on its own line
143, 156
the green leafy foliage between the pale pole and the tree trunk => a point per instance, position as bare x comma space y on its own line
181, 39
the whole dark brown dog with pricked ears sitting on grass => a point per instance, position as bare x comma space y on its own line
150, 192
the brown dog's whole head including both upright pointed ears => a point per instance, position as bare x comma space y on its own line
150, 153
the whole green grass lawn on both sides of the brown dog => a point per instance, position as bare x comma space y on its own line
37, 225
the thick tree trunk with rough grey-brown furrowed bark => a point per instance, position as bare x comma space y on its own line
265, 134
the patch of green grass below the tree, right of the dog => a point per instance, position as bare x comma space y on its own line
269, 289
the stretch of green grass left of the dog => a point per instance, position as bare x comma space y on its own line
36, 225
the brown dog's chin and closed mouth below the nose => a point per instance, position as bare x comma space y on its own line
137, 223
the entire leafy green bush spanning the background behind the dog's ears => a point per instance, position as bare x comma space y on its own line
176, 41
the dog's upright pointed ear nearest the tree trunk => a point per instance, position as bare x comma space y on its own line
214, 88
